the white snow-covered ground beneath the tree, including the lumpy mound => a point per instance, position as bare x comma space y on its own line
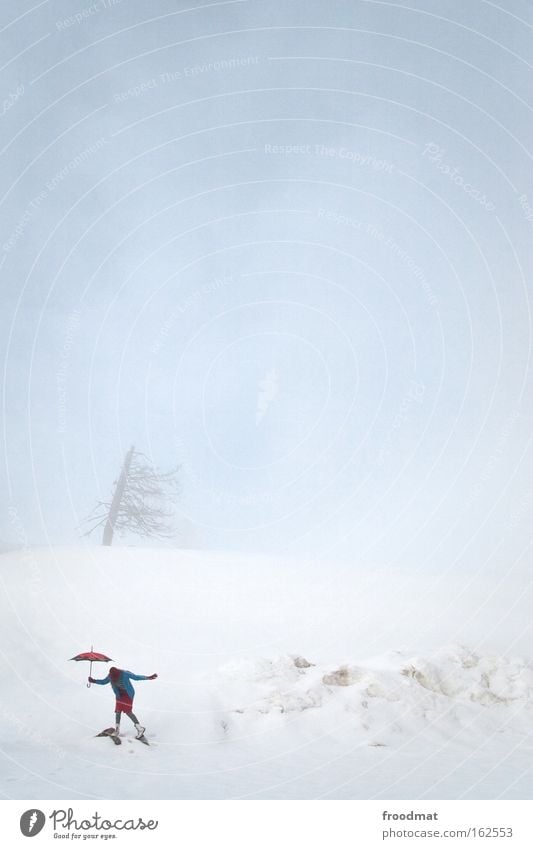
277, 679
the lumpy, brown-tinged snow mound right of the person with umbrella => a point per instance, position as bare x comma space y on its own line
410, 686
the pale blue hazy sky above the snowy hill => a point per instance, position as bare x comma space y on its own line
232, 234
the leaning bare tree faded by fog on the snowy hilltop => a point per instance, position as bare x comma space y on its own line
141, 501
